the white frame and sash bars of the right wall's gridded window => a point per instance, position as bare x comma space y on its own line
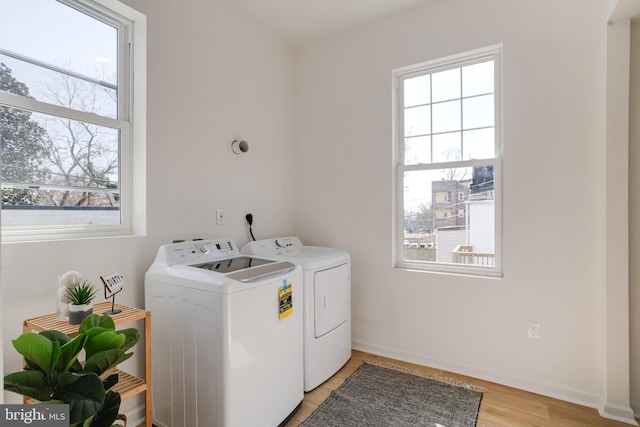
399, 74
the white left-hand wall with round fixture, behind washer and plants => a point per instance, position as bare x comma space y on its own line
213, 75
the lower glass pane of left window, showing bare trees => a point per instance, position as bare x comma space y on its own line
61, 162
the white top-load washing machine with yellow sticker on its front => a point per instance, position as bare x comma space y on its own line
227, 345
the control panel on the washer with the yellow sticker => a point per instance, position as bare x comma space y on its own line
199, 251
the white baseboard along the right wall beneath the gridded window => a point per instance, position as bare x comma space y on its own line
551, 390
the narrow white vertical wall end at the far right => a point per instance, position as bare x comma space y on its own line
616, 388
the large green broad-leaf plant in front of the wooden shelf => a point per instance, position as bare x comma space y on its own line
53, 373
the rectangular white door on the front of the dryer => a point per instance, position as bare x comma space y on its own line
332, 298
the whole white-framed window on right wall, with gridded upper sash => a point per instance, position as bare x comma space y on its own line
448, 141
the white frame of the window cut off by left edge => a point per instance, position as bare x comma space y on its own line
132, 127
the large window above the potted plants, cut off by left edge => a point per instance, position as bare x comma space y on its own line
66, 118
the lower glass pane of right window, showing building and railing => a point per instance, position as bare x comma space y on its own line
449, 216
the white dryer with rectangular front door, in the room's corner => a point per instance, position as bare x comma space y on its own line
327, 303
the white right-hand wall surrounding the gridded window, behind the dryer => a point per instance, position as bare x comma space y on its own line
554, 127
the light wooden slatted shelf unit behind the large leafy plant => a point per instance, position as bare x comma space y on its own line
128, 385
